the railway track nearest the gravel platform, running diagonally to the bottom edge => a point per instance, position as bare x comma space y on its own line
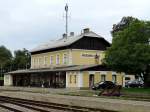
26, 103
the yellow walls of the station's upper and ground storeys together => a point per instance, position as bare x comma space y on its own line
75, 57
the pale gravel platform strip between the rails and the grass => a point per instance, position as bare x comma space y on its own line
94, 102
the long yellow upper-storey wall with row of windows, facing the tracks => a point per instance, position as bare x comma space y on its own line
43, 60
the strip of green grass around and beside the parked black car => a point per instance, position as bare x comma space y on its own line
140, 94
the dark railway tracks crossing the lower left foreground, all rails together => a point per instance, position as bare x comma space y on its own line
39, 106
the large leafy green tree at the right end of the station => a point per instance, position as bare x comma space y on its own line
130, 50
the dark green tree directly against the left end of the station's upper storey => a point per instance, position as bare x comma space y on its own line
21, 59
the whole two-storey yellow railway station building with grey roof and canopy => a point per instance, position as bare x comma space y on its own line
70, 62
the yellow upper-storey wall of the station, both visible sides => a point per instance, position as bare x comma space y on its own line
73, 57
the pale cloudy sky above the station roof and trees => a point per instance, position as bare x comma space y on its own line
28, 23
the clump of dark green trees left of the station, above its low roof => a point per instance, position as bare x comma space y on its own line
21, 60
